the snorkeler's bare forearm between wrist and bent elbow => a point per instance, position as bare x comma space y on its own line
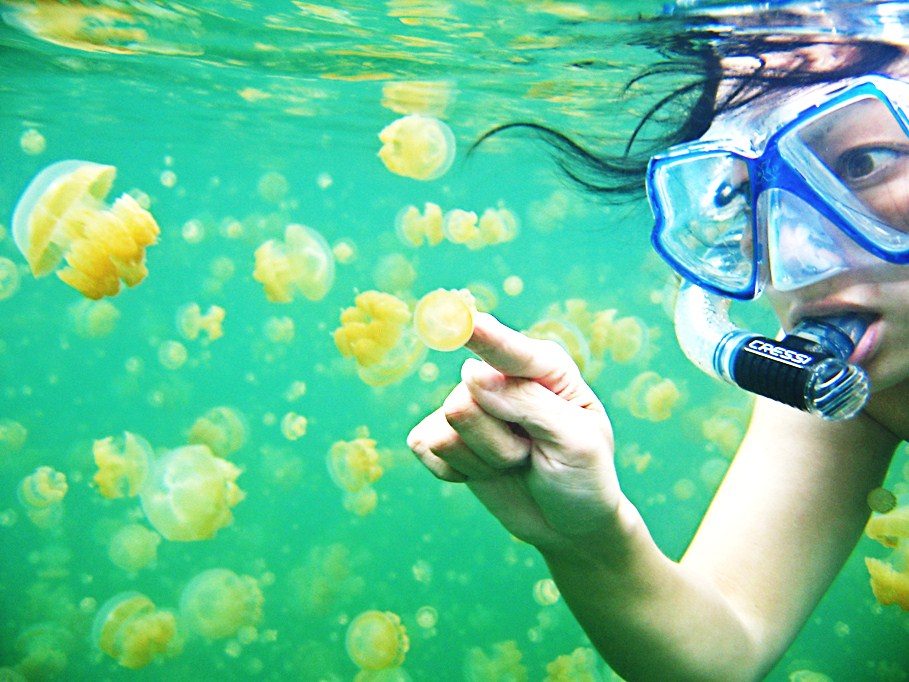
650, 618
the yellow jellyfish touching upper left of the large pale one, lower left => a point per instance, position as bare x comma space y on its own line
123, 464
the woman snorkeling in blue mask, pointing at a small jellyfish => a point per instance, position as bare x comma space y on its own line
790, 177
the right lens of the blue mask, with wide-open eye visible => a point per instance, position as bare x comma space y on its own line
858, 160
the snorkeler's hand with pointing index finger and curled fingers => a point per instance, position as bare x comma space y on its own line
529, 437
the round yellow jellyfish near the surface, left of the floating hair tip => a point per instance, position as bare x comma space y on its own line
418, 147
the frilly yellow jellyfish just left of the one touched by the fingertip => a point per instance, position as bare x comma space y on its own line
376, 334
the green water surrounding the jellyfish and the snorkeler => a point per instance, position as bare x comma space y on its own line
194, 105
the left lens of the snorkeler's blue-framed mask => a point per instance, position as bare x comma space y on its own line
706, 228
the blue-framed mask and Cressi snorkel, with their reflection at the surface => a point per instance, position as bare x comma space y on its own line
820, 187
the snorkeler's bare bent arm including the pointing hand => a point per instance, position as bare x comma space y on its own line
533, 443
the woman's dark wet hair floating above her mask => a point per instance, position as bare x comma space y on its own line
694, 55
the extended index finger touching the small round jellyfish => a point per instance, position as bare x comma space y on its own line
513, 353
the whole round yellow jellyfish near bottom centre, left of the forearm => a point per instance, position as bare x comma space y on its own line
377, 640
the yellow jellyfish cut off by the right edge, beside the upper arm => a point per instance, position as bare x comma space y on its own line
890, 578
